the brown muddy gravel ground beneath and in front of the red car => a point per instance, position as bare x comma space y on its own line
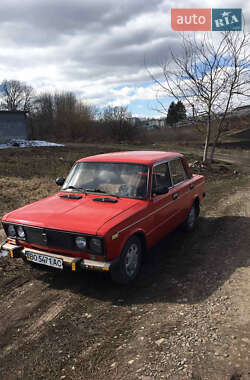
186, 317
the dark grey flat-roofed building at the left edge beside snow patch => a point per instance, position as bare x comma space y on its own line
13, 125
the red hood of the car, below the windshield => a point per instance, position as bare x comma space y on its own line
76, 215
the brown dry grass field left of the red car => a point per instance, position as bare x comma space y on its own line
28, 174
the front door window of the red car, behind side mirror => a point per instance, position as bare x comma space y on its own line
161, 179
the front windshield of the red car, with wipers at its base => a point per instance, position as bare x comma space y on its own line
119, 179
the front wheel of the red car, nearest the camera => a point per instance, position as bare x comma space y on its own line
129, 264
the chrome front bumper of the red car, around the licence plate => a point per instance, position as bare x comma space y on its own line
75, 263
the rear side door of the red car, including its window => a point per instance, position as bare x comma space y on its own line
181, 188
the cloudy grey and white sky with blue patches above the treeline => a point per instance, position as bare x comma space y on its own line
96, 48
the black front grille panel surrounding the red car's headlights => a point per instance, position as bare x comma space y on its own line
52, 238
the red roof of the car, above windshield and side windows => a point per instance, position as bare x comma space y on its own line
147, 157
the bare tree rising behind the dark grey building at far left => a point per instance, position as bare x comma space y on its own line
16, 96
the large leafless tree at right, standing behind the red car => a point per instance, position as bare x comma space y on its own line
211, 76
